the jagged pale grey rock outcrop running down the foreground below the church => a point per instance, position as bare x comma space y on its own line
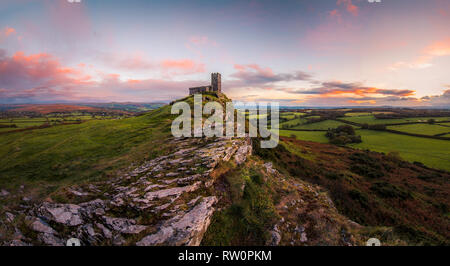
163, 201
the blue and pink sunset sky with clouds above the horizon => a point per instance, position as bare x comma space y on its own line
303, 52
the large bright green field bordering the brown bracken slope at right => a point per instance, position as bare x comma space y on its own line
431, 152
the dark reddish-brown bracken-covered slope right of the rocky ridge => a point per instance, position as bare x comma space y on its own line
373, 189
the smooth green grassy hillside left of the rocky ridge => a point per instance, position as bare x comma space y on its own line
73, 153
